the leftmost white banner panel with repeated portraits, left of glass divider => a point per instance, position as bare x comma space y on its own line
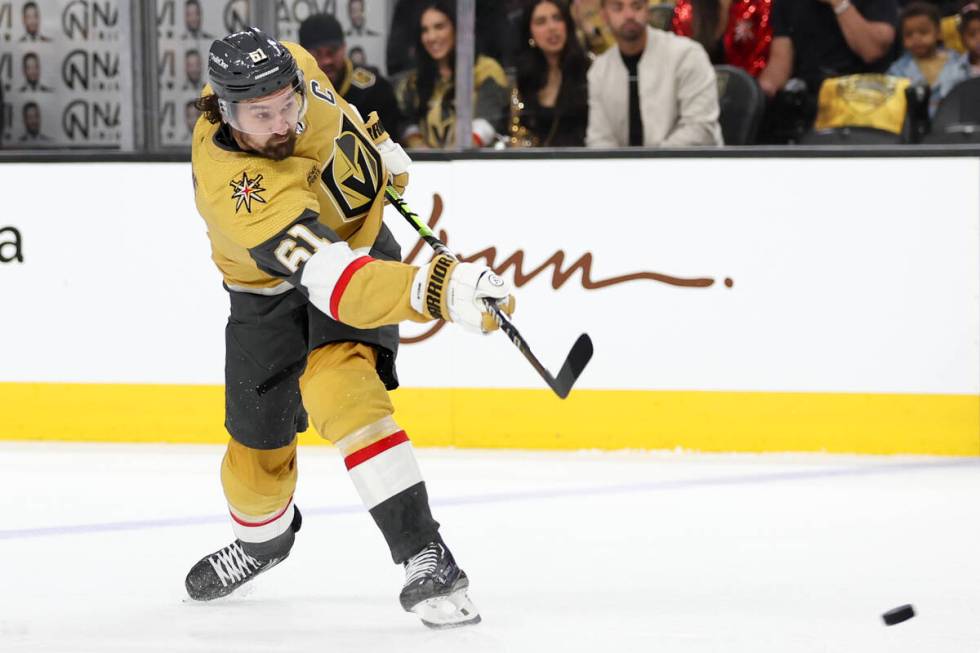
66, 73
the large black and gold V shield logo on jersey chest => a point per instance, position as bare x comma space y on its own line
353, 174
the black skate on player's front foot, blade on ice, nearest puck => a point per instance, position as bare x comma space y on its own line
435, 589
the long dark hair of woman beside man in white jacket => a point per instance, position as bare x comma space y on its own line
532, 67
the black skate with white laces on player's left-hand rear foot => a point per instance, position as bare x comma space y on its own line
227, 569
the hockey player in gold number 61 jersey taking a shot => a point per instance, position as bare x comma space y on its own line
290, 181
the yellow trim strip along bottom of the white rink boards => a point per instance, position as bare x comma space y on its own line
532, 419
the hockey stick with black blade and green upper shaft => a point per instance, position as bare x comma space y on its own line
577, 358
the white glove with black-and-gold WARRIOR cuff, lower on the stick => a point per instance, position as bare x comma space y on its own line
448, 290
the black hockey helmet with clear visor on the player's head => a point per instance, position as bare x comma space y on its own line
248, 65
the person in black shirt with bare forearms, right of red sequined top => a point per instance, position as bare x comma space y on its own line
817, 39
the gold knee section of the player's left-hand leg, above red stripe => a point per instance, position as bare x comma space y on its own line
258, 483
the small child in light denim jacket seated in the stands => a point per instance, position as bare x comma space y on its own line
925, 61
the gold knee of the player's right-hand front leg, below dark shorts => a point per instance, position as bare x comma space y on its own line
342, 391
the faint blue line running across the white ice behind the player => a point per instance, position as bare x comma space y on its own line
506, 497
